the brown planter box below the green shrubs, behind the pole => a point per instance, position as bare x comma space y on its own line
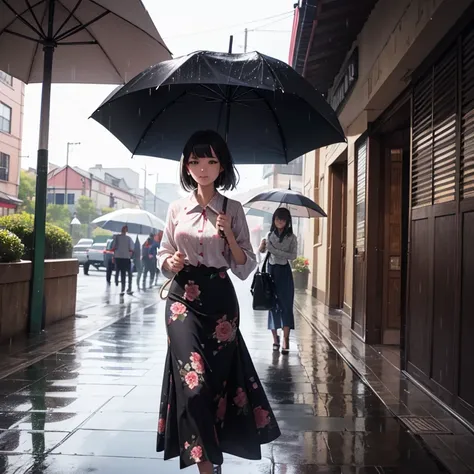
60, 287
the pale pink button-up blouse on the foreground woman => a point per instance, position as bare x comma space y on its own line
191, 230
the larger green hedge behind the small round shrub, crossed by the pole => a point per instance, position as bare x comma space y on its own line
58, 243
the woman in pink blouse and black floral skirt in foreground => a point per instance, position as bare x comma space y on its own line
212, 400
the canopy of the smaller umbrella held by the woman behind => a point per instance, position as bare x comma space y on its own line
298, 204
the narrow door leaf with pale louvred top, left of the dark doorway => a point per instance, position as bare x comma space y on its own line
359, 301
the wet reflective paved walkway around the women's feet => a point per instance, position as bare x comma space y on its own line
91, 403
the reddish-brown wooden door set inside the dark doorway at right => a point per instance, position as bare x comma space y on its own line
392, 258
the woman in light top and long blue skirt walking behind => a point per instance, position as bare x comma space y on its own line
282, 245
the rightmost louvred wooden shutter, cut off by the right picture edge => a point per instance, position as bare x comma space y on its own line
467, 118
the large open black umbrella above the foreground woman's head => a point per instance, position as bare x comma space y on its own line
266, 111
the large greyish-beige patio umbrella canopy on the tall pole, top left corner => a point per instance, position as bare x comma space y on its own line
96, 41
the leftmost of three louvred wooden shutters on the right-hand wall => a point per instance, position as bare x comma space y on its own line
422, 163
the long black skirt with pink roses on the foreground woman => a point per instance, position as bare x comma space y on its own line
212, 400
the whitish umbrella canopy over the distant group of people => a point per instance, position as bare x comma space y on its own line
138, 221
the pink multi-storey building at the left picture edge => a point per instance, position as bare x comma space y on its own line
12, 93
